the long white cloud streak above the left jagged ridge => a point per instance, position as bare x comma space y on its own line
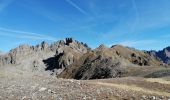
24, 35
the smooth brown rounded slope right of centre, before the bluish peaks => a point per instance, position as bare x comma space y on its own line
141, 58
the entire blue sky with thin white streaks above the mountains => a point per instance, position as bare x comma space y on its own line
143, 24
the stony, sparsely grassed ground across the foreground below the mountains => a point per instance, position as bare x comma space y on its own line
26, 87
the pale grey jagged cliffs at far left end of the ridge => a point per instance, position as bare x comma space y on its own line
16, 55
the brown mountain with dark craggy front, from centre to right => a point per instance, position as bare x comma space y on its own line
104, 62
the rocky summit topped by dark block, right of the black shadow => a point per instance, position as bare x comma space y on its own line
68, 54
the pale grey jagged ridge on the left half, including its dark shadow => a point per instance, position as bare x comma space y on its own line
52, 57
